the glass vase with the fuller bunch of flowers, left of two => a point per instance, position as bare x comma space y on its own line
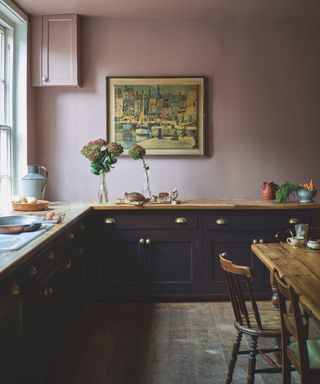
102, 157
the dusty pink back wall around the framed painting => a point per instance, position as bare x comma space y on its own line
263, 105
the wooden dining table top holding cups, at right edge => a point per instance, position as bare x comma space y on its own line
299, 266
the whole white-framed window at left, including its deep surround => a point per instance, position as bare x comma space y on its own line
13, 99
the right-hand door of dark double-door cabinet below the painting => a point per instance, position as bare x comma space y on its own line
172, 260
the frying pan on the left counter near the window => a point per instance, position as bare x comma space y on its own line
18, 224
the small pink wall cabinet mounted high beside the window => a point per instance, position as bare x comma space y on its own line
55, 50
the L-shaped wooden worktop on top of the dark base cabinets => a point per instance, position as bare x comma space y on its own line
74, 211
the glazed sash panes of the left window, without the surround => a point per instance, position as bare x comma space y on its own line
6, 71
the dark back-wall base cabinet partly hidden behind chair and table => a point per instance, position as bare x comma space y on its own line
234, 233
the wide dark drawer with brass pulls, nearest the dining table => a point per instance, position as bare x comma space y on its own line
263, 221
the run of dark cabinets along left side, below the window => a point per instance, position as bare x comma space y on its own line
39, 304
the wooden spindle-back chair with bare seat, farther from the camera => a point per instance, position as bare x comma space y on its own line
249, 321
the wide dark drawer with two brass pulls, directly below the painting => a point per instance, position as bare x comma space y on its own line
156, 220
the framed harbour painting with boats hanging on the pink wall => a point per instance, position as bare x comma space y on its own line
165, 115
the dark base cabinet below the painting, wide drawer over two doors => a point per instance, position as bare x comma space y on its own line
144, 254
